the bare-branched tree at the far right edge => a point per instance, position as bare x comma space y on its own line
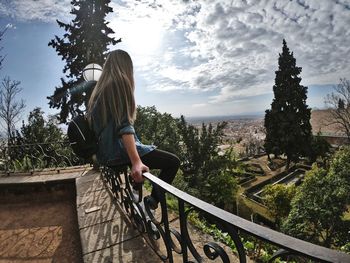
339, 102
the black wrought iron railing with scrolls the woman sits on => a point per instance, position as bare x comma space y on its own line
180, 242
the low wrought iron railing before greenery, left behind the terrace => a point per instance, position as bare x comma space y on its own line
37, 156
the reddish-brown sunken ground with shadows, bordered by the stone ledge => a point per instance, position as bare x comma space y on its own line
39, 226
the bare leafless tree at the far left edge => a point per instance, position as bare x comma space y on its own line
10, 108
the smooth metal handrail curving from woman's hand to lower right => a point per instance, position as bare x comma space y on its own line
281, 240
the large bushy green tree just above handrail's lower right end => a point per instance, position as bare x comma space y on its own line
314, 216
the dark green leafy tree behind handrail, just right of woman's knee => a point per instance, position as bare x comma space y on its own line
204, 169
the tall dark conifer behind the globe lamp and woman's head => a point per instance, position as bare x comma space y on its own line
85, 41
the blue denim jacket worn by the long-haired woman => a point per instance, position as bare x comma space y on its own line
111, 149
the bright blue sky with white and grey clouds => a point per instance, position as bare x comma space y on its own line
214, 57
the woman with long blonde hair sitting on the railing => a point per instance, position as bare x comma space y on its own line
112, 112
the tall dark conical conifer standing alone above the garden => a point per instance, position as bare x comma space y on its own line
287, 123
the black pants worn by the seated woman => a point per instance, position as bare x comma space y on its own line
168, 164
